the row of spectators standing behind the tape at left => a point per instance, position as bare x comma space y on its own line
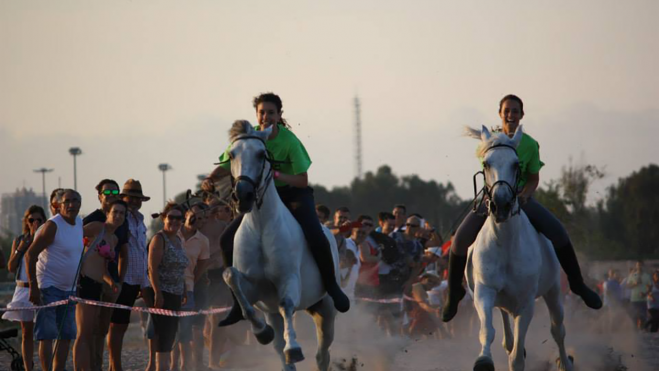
107, 257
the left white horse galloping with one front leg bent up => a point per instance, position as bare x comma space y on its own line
273, 267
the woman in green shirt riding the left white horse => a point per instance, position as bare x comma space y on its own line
293, 187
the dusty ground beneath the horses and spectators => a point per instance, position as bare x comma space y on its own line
360, 346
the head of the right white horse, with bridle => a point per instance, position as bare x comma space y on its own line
501, 169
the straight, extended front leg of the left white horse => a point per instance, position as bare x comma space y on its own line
289, 294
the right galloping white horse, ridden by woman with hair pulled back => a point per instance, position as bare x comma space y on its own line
511, 264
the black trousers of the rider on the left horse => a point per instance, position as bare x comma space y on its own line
301, 203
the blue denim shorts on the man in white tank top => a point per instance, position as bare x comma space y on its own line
50, 320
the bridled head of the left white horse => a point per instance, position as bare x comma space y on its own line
249, 163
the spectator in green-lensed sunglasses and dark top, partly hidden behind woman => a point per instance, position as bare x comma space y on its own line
108, 193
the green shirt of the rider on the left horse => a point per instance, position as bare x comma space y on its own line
285, 147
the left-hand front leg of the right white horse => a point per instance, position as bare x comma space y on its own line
484, 297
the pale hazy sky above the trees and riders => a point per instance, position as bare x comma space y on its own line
137, 83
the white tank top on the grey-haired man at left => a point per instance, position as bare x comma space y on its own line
58, 263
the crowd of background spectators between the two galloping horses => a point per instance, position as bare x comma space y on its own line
392, 267
